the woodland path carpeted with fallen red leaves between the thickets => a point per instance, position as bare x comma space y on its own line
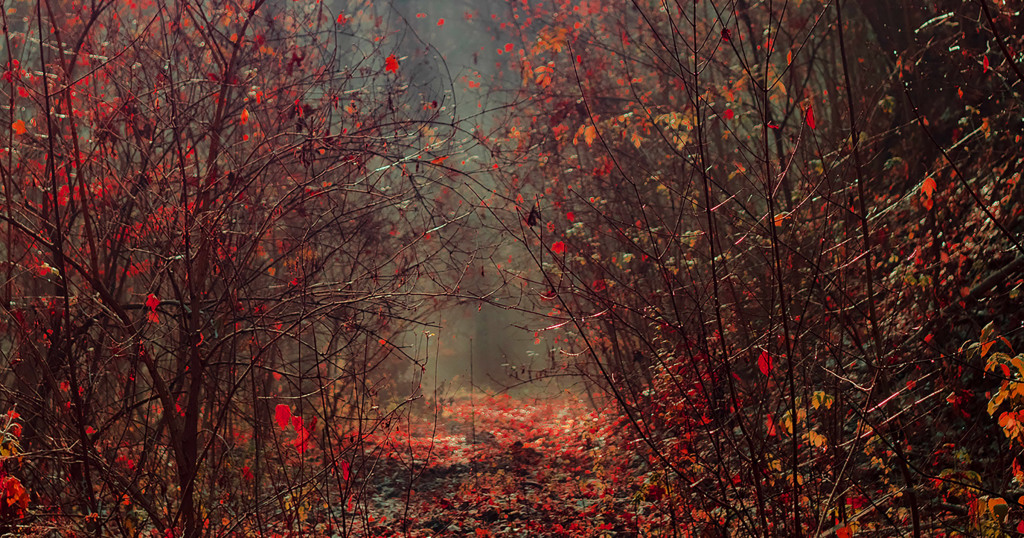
531, 469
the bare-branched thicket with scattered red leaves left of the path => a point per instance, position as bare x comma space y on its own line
212, 220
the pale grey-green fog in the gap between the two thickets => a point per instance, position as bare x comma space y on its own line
482, 338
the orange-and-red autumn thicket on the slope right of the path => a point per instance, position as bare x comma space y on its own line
775, 233
